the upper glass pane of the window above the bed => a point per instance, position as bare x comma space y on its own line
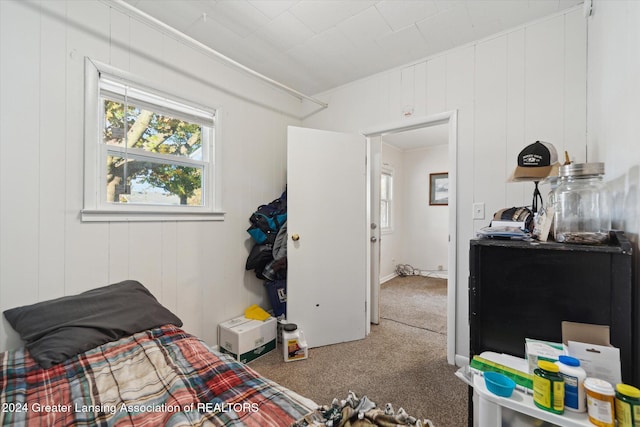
150, 131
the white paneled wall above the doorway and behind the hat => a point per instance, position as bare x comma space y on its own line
509, 90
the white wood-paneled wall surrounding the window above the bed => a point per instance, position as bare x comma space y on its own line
194, 268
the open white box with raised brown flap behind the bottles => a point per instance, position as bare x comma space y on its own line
591, 345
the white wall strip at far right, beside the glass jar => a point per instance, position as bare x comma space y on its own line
614, 108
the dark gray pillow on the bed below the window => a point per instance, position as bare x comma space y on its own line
58, 329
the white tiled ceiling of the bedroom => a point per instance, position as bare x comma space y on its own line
315, 45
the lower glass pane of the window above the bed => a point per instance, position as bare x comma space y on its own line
135, 181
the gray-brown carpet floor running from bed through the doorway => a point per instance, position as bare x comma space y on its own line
403, 361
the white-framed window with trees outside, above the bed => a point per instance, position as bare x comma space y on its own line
149, 155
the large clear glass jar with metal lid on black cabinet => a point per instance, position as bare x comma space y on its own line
581, 205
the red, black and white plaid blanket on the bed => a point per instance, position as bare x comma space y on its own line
158, 377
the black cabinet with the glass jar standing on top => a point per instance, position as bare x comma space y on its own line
521, 290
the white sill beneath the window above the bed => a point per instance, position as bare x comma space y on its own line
91, 215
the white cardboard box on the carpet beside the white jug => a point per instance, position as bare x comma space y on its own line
247, 339
